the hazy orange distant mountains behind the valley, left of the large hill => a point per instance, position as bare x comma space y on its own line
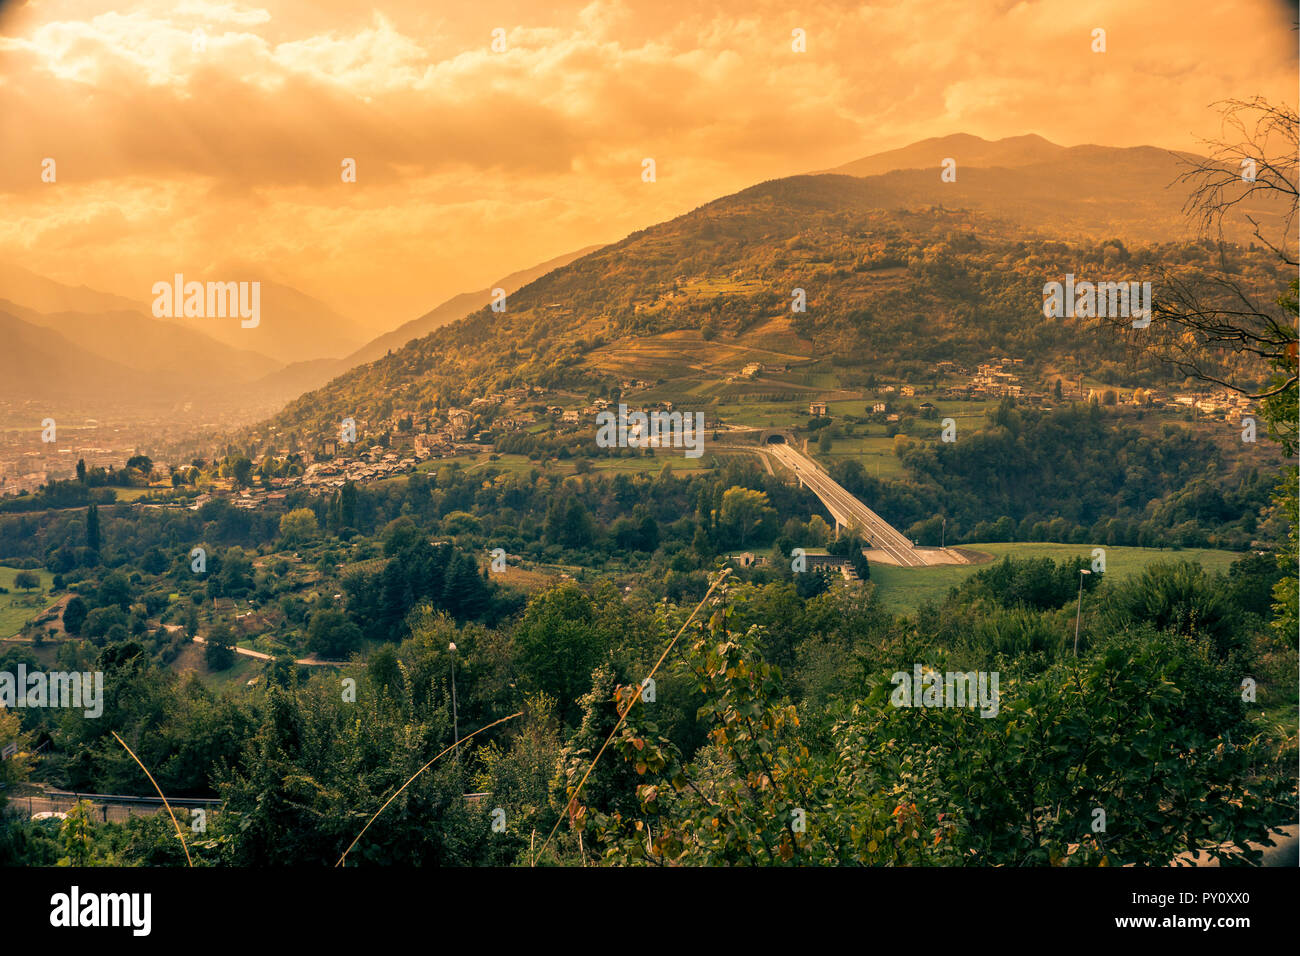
68, 341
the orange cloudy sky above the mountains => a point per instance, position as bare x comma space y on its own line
474, 163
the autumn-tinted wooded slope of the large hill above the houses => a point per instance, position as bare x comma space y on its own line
892, 285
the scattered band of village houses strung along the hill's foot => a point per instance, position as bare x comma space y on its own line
408, 439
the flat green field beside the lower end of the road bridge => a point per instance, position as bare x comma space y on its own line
903, 590
